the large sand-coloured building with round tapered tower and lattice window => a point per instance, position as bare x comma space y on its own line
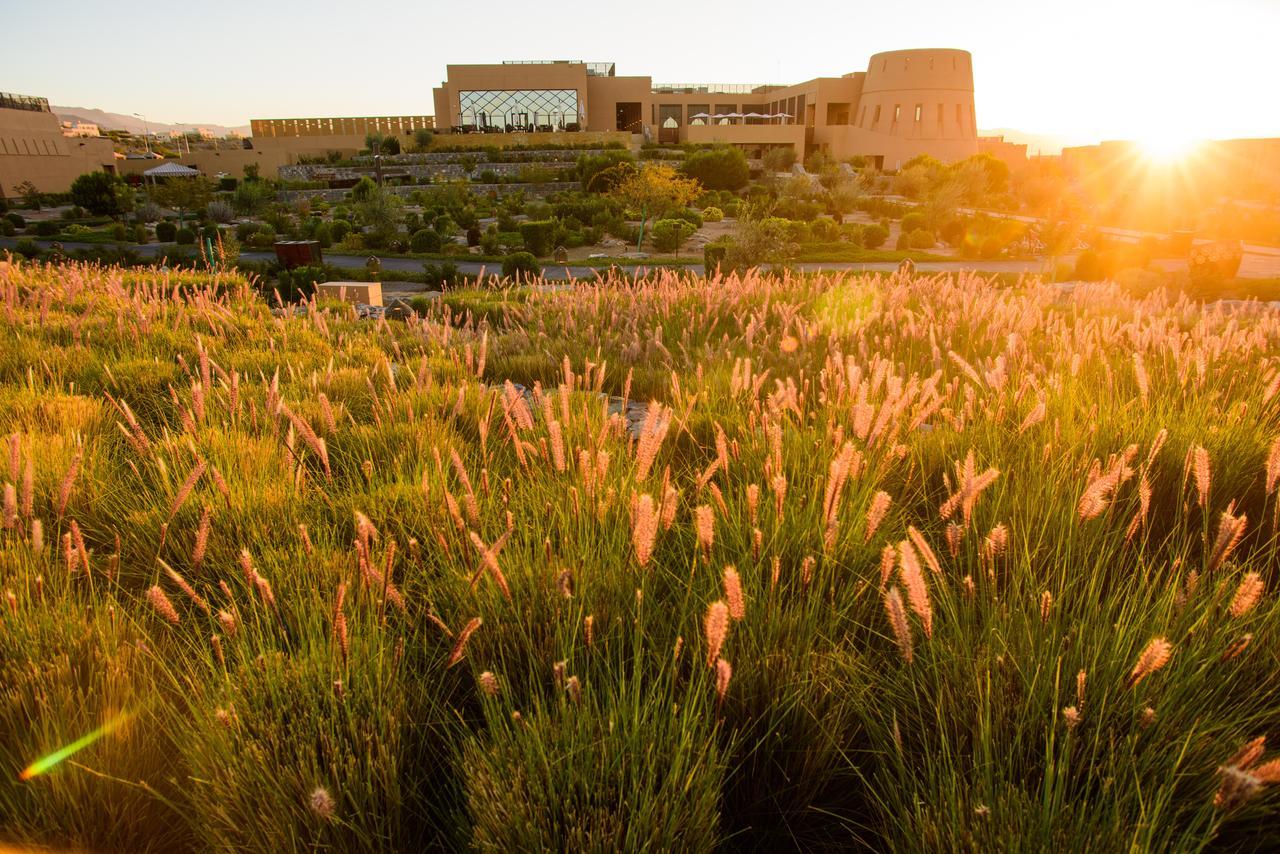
907, 103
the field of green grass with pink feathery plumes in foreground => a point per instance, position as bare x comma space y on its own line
900, 564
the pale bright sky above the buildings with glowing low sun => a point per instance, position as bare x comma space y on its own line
1084, 70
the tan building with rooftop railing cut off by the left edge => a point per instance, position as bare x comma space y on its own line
33, 148
